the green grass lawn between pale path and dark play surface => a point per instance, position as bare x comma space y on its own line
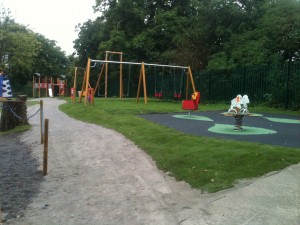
205, 163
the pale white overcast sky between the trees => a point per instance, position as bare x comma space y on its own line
55, 19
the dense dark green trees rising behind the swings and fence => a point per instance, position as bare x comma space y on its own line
201, 33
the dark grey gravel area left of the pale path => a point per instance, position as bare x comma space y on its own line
19, 177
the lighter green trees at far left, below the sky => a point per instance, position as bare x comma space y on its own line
23, 53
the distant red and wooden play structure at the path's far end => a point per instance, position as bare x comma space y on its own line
47, 84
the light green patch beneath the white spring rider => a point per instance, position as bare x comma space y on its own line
229, 129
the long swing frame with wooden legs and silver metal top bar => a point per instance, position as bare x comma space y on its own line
142, 77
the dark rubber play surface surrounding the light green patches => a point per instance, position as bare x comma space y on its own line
287, 134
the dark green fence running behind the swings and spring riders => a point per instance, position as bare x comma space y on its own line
273, 85
